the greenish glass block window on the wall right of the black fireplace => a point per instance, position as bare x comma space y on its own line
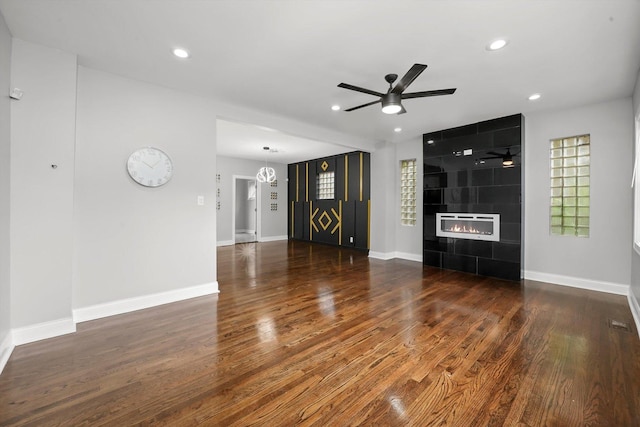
569, 212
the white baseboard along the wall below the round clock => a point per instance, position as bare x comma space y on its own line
138, 303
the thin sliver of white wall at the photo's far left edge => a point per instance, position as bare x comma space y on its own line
5, 145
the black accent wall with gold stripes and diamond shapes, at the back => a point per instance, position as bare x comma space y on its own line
343, 220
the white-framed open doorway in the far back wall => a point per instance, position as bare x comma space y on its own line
245, 209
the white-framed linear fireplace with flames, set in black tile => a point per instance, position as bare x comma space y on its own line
468, 226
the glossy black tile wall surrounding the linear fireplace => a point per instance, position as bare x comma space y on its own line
459, 178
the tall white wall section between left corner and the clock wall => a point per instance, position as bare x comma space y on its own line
42, 134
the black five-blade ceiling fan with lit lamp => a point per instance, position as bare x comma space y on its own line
391, 101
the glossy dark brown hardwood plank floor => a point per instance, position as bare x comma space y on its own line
314, 335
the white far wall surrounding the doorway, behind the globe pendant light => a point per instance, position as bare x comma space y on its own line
272, 225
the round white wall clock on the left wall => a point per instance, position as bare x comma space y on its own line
150, 167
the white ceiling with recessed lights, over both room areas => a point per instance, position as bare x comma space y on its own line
286, 57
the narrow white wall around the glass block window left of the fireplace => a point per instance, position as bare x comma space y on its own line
408, 239
